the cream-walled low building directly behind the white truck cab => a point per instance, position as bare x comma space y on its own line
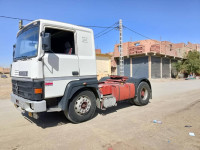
103, 62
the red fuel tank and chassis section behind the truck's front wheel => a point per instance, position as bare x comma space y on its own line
117, 88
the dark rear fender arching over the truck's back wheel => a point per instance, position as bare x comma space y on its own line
137, 81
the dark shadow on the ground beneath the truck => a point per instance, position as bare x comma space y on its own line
52, 119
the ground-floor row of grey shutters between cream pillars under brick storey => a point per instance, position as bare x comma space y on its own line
148, 66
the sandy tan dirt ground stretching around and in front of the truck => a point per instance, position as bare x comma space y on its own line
125, 127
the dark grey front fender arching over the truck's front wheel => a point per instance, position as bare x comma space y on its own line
74, 86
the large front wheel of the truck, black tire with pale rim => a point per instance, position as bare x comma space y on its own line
82, 107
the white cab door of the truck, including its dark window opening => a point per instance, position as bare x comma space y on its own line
61, 63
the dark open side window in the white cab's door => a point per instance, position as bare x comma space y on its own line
62, 42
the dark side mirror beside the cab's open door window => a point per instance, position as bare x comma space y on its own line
46, 41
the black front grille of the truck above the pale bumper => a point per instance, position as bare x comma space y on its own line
25, 89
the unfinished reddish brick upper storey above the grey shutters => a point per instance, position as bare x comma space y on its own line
161, 47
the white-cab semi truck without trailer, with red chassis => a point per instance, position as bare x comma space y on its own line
54, 69
